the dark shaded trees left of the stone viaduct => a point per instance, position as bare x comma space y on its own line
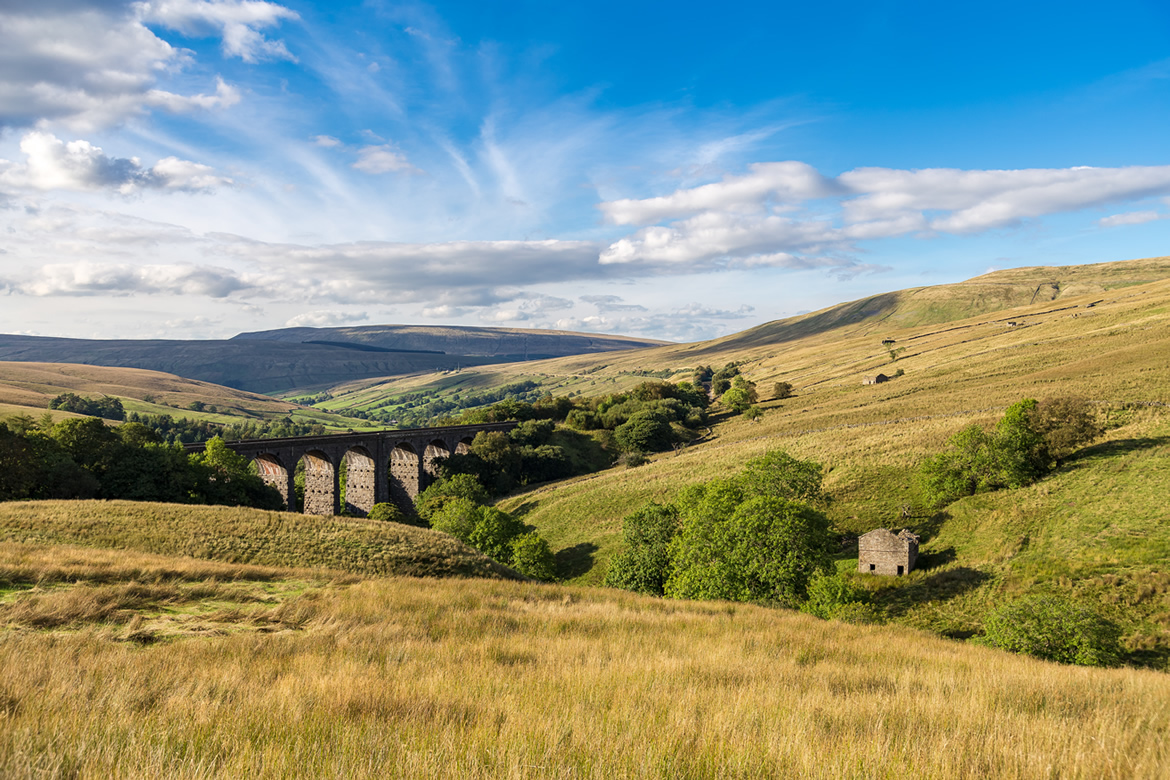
82, 458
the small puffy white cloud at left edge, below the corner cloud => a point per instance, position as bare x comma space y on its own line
78, 165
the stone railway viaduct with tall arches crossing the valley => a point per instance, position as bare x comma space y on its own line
381, 466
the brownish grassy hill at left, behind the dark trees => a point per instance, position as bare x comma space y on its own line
29, 388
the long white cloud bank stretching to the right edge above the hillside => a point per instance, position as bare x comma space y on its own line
766, 218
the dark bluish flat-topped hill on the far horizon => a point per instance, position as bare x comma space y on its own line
280, 361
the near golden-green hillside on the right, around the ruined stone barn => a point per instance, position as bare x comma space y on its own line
1097, 529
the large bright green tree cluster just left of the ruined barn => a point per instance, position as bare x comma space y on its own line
756, 537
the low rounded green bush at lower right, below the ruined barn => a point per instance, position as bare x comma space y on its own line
1054, 630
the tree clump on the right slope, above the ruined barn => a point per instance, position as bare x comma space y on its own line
1029, 443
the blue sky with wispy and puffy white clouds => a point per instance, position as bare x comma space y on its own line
197, 169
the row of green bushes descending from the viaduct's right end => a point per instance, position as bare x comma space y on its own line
459, 506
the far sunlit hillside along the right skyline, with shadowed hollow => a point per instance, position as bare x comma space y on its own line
770, 347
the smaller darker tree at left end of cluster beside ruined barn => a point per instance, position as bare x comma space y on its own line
644, 567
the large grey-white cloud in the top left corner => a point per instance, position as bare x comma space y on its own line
90, 66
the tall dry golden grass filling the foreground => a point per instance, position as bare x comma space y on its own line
492, 680
